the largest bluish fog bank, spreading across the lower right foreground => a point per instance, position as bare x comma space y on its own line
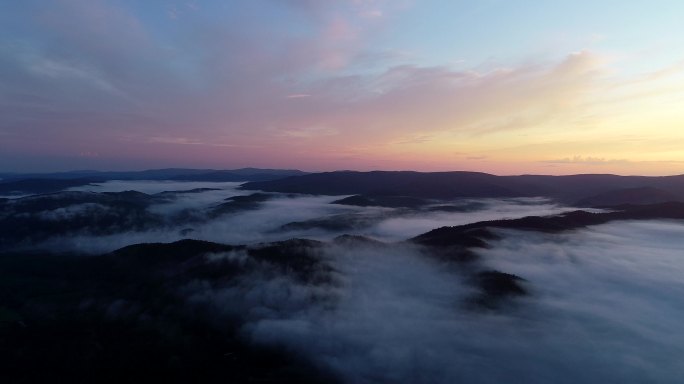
606, 307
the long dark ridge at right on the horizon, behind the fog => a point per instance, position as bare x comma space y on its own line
585, 190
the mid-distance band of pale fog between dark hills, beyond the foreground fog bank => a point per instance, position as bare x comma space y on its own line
266, 222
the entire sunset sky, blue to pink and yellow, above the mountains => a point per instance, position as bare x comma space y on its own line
499, 86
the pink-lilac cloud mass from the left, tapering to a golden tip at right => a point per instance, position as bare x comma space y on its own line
243, 92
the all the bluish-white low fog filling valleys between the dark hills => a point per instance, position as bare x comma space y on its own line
606, 302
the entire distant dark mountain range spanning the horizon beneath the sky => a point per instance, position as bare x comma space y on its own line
387, 188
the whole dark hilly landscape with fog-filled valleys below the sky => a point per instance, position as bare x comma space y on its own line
218, 280
